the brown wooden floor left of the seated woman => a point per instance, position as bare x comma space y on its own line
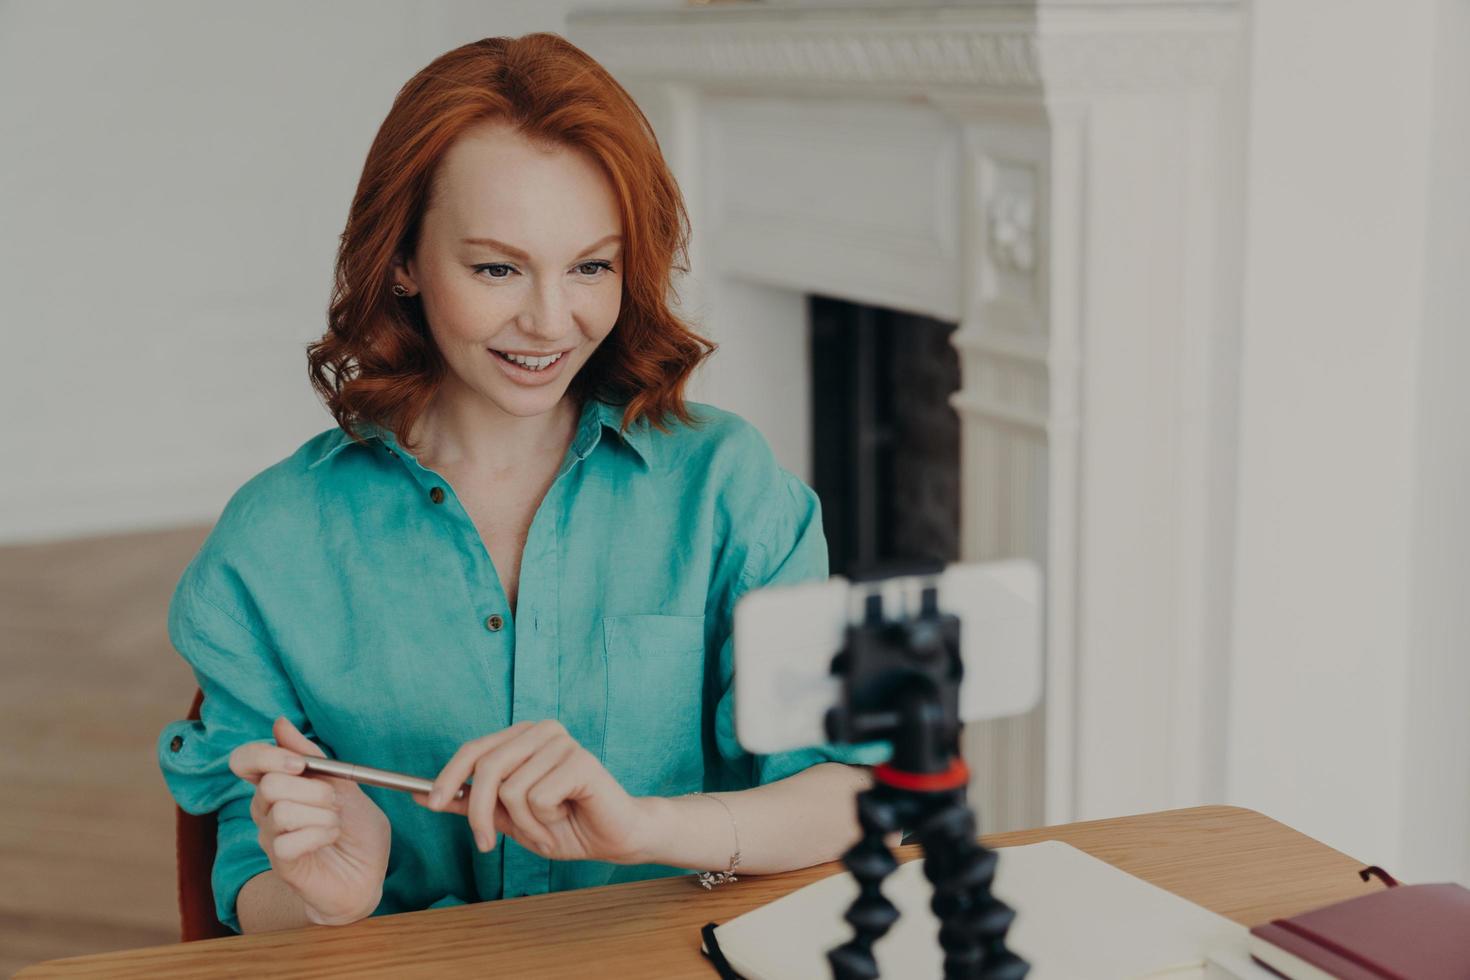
87, 682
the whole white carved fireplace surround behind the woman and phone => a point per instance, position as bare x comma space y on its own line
1062, 180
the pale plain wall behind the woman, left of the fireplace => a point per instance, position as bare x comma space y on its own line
174, 177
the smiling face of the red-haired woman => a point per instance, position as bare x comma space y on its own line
518, 255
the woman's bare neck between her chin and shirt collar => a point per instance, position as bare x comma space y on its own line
471, 433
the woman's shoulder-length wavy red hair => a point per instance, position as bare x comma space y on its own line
379, 361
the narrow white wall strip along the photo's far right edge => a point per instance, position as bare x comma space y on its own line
1435, 807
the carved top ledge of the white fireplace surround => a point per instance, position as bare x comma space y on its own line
1053, 48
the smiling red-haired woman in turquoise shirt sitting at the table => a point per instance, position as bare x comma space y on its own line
515, 559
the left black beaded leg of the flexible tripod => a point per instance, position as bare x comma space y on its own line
870, 860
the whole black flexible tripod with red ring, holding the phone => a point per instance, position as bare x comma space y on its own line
902, 682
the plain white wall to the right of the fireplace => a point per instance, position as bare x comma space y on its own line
1350, 690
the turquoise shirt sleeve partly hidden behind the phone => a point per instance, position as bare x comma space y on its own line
789, 546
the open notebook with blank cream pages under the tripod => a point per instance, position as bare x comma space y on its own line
1077, 918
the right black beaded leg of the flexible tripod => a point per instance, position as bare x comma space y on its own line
972, 920
